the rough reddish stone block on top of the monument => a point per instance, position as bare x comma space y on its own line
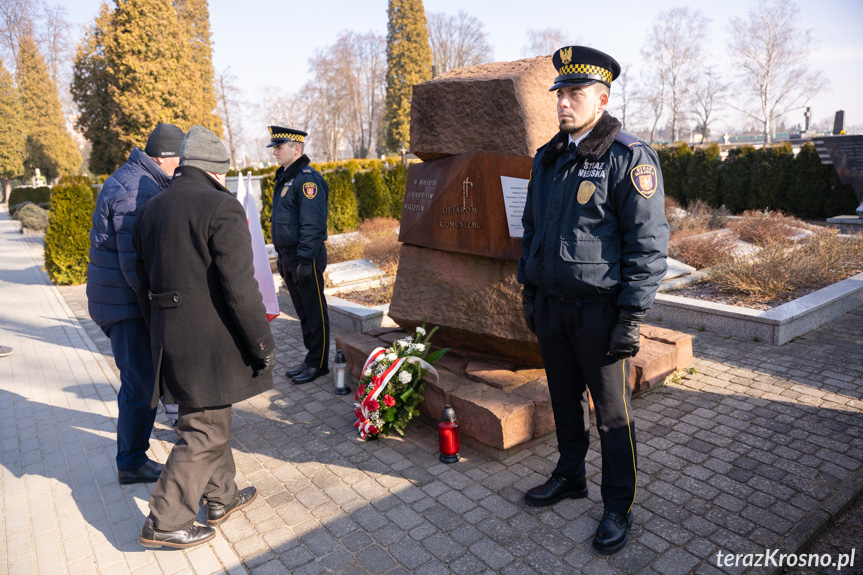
502, 107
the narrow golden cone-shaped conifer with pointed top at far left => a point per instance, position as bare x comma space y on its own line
49, 146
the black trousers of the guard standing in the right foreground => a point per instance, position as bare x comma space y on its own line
573, 337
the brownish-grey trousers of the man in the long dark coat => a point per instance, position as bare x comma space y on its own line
200, 464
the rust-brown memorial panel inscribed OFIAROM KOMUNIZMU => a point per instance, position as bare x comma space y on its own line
457, 204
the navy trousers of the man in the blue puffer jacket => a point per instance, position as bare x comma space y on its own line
130, 342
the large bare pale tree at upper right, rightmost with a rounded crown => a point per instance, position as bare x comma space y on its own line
771, 53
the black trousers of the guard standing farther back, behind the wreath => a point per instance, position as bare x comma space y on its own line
311, 306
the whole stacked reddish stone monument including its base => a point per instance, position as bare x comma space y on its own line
477, 130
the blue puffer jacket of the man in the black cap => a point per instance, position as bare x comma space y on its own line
111, 279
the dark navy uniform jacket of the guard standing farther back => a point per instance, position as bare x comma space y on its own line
299, 221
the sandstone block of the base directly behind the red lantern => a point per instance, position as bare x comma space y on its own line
493, 417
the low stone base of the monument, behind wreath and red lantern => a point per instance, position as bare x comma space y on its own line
503, 408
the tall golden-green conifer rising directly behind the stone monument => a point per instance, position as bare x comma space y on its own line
409, 62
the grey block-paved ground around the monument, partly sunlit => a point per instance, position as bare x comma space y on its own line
756, 448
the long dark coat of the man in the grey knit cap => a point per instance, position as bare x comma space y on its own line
199, 295
